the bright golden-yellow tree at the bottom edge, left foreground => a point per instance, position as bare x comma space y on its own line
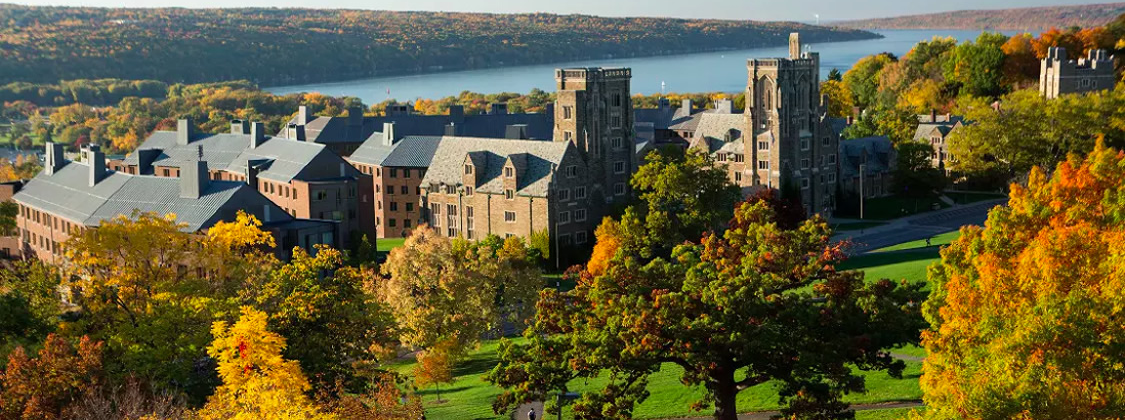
258, 383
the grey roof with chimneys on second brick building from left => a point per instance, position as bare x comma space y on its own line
286, 159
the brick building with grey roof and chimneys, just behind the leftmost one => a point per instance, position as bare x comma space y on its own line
305, 180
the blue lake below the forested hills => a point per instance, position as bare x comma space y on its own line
704, 73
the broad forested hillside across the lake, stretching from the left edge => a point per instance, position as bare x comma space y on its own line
281, 47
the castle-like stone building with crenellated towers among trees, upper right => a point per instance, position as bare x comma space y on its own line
1060, 76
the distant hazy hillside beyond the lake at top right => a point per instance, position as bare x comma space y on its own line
1032, 20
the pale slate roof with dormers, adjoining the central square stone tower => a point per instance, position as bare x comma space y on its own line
537, 159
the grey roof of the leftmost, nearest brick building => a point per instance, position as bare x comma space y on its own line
68, 194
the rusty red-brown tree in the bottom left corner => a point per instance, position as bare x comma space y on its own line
43, 387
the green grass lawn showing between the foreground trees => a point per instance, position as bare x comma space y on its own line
470, 397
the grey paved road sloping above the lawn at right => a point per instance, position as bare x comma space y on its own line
919, 227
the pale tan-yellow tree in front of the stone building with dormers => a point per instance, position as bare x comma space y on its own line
470, 288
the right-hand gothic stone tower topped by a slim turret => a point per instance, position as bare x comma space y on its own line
791, 148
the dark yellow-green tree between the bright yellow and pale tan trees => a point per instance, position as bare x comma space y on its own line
336, 328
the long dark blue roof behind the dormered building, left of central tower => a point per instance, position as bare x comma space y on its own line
337, 130
